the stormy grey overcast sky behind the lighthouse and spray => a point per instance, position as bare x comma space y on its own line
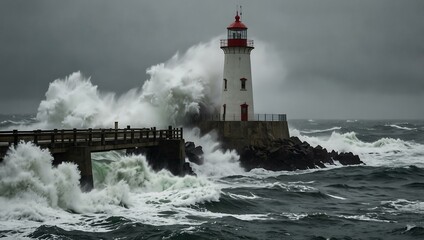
353, 59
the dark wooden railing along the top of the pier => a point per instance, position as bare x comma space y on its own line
60, 137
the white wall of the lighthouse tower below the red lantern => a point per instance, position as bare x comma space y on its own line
237, 66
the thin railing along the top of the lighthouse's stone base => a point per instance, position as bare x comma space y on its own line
265, 117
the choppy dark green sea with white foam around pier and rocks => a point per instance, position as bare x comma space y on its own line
383, 199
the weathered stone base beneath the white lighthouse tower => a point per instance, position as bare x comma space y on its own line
238, 134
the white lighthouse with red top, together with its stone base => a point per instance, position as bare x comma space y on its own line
238, 126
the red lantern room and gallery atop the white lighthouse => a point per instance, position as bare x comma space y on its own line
237, 35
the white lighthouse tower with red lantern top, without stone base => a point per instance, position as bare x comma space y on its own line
237, 91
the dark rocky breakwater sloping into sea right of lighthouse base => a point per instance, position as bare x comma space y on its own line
292, 154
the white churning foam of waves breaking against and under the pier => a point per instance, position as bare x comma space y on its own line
32, 191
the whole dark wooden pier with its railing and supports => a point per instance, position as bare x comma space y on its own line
76, 145
